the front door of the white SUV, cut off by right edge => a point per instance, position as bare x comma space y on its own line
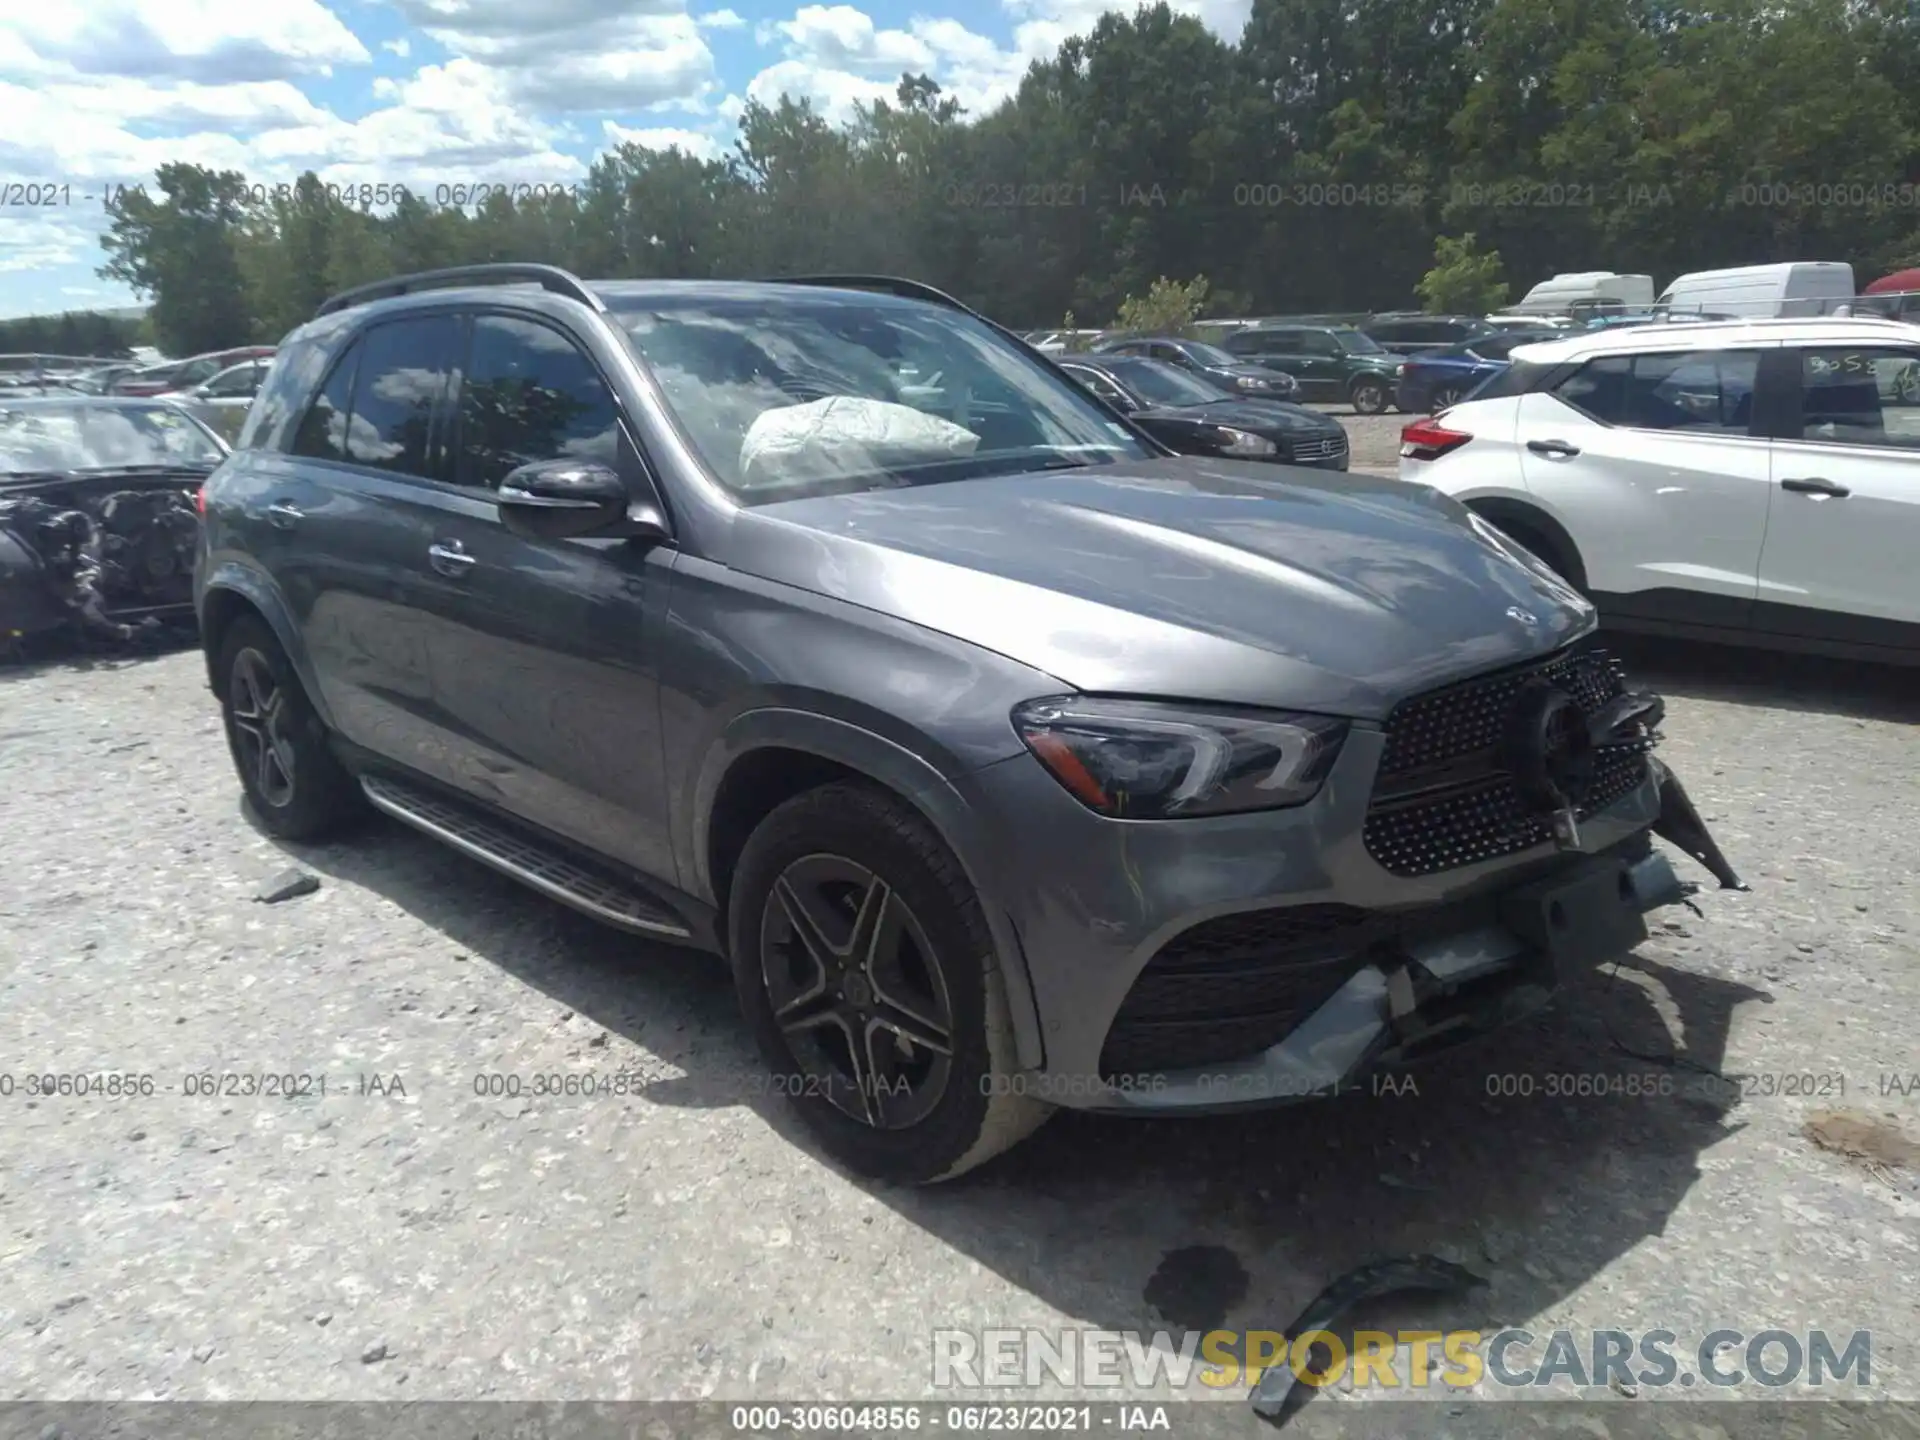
1844, 529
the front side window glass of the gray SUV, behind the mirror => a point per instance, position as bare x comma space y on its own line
531, 395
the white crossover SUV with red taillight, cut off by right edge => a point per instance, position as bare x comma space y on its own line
1754, 481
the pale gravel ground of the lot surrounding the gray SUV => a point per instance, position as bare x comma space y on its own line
686, 1243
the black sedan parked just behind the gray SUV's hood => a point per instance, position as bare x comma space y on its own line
1191, 418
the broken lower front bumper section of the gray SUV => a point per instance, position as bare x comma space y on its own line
1428, 994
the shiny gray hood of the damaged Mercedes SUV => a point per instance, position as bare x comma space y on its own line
1188, 579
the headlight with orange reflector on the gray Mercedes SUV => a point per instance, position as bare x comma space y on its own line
1153, 761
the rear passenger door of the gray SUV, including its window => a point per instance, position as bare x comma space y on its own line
352, 533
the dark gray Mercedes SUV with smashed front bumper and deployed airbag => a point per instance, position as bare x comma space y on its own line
1011, 759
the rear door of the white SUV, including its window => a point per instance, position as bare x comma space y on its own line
1654, 466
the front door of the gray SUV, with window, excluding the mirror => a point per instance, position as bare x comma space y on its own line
542, 650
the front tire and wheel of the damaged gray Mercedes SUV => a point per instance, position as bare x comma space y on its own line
850, 852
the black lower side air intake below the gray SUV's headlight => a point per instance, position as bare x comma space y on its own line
1236, 986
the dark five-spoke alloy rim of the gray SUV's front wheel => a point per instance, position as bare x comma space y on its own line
857, 992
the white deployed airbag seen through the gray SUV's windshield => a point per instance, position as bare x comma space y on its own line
846, 435
